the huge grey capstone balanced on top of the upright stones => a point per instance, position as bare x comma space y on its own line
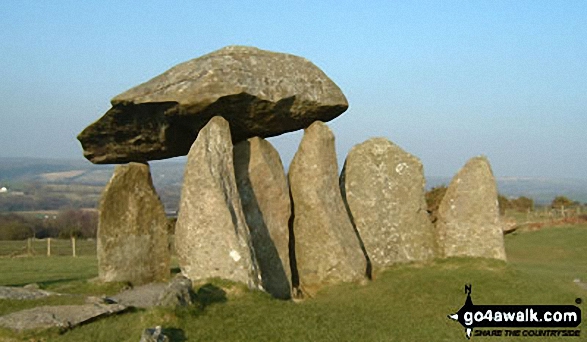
260, 93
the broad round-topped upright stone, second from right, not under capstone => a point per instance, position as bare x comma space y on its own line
383, 188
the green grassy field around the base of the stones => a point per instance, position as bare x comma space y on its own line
406, 303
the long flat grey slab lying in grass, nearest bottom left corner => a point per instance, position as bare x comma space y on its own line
62, 317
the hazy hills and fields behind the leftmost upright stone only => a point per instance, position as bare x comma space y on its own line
50, 184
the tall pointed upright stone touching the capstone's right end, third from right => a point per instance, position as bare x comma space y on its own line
327, 248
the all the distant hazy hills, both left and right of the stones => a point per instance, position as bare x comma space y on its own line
78, 183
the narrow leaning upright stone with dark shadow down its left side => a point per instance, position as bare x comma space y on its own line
264, 196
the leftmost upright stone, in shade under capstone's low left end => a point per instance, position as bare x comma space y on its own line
132, 230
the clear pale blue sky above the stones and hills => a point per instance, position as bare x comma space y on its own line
445, 80
